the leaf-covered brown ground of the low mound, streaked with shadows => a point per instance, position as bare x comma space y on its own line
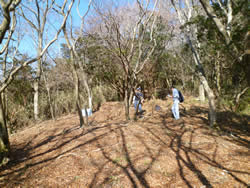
154, 151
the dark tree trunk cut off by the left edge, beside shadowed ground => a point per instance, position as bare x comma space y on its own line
4, 137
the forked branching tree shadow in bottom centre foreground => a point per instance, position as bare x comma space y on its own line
135, 174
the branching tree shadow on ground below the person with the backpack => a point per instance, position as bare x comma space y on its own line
184, 151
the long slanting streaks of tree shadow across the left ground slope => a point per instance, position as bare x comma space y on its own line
22, 159
